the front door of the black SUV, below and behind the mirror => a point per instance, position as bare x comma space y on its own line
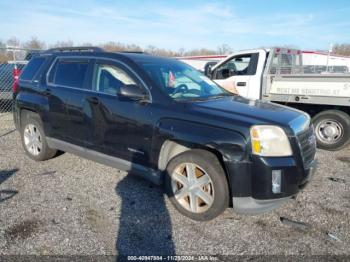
119, 125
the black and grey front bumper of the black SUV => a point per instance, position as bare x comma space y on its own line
251, 183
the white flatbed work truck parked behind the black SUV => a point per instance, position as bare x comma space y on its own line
278, 75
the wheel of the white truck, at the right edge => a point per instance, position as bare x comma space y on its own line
332, 128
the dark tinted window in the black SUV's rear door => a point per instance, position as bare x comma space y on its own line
70, 73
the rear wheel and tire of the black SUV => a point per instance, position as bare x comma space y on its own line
31, 126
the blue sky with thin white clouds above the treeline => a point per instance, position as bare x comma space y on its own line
179, 23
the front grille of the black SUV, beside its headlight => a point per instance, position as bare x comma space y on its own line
307, 144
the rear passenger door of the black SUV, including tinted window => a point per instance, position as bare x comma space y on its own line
68, 86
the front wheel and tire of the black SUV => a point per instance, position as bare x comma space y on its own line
216, 191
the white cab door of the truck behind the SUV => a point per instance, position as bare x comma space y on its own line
243, 71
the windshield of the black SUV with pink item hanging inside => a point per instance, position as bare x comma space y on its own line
182, 82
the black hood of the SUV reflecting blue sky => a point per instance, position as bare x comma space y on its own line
252, 112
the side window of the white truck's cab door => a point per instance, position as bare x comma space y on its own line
239, 65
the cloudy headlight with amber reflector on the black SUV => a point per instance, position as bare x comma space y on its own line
269, 141
